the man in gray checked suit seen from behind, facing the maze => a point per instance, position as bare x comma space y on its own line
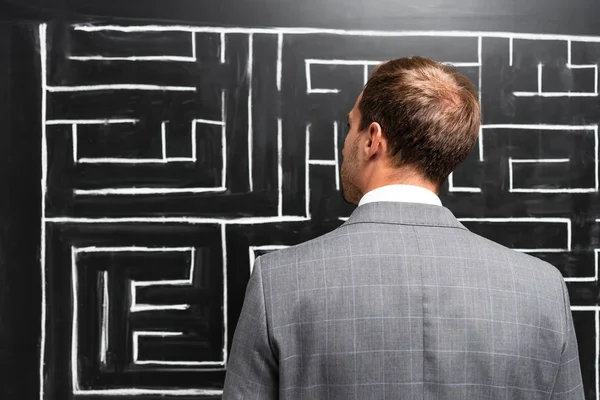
402, 301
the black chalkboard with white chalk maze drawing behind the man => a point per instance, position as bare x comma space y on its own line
151, 152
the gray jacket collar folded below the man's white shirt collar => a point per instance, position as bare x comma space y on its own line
403, 213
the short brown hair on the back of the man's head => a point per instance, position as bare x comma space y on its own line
428, 111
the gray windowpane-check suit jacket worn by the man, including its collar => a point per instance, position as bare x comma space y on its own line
403, 302
